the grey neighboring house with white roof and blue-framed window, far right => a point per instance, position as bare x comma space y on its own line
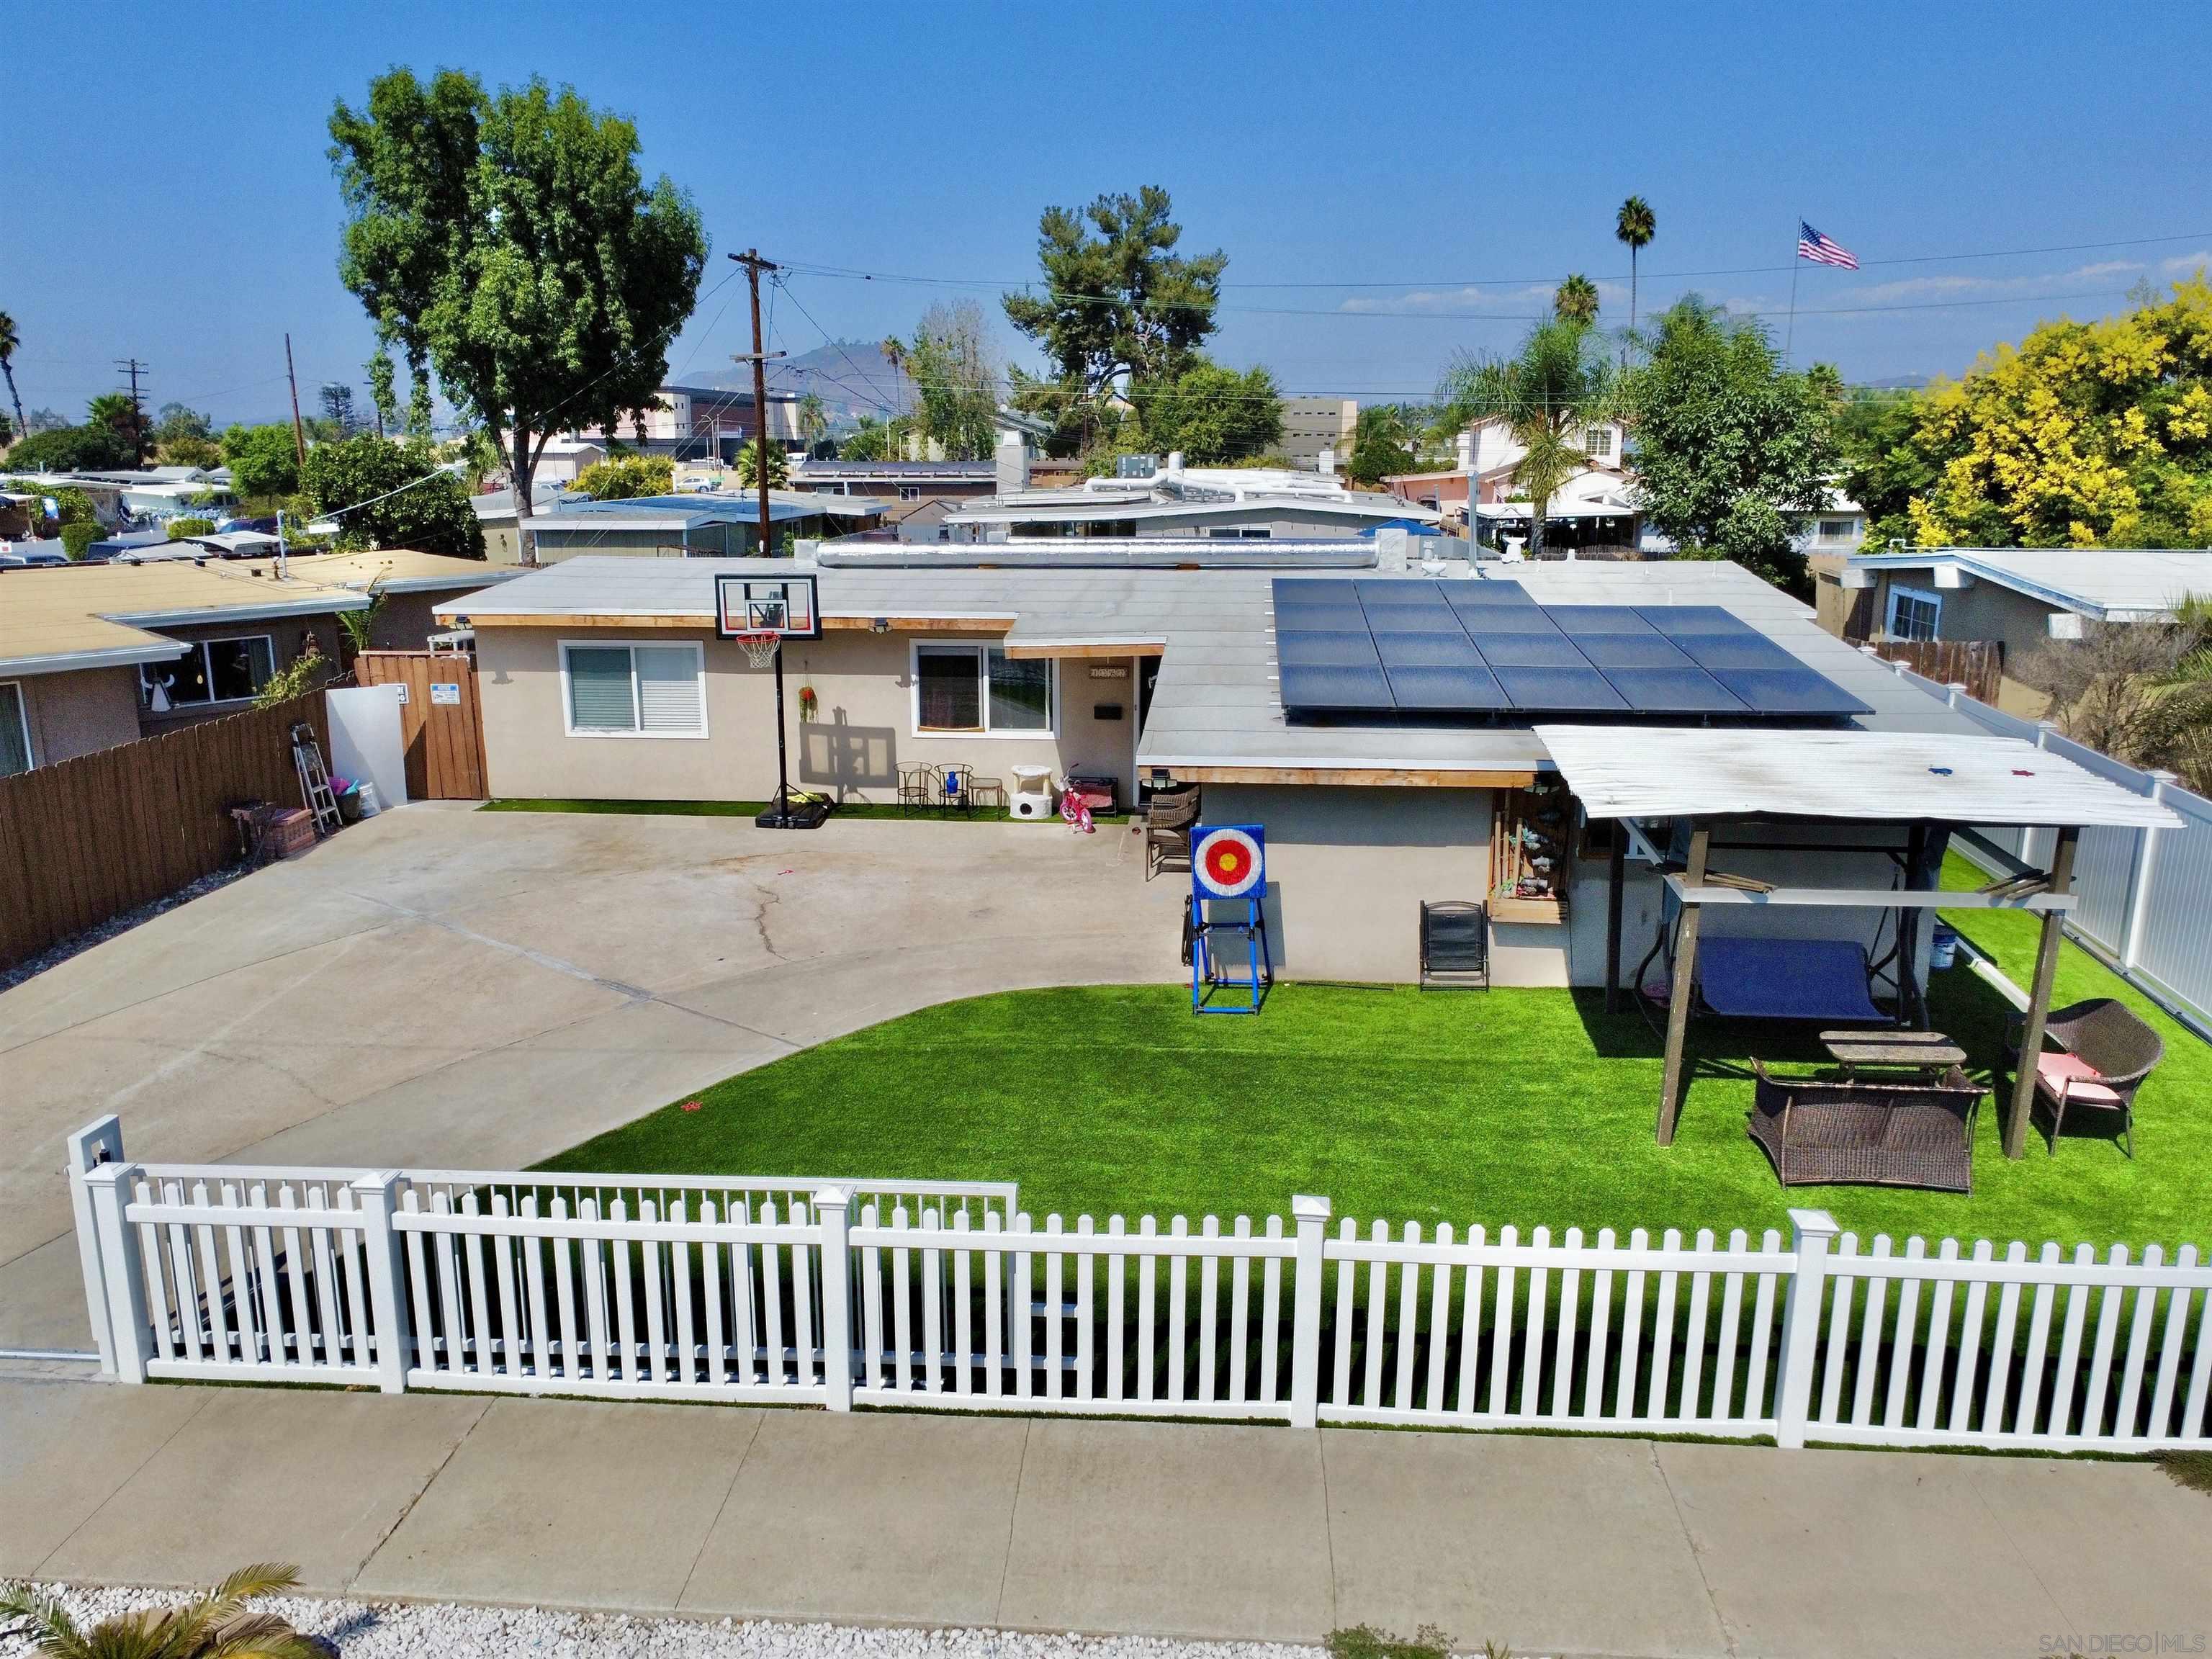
2016, 596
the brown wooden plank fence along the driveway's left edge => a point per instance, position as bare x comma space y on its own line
87, 839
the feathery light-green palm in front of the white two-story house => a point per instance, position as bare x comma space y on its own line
1547, 393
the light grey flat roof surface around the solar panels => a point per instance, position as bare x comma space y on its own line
1218, 707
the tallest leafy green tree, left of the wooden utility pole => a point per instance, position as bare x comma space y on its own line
510, 244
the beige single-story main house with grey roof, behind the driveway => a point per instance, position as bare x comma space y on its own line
1138, 660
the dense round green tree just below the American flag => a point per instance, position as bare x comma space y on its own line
1731, 450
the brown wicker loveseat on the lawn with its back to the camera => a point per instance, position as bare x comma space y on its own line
1868, 1134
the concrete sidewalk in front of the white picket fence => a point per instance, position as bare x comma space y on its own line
1550, 1545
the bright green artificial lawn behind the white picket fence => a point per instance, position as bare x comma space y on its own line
1496, 1107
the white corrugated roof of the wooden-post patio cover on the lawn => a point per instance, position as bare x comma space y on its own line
1870, 778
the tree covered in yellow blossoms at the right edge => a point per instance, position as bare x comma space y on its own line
2085, 435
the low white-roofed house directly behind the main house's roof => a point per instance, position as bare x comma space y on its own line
1187, 501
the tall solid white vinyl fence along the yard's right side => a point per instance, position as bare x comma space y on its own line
2145, 895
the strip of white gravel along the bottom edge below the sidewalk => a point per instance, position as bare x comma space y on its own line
435, 1631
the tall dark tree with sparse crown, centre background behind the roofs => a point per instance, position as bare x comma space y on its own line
1120, 306
